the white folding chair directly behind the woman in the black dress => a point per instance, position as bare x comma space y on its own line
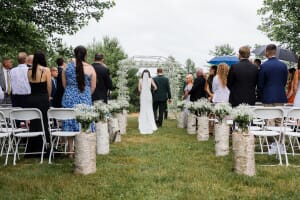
25, 114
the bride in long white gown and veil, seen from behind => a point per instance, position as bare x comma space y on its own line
146, 117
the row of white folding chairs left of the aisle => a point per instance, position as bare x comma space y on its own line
11, 136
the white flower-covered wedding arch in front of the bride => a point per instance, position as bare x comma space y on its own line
171, 69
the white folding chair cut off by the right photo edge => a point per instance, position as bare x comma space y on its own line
293, 136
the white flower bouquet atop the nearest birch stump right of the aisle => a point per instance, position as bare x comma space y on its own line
242, 115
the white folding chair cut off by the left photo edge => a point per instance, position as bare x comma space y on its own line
5, 137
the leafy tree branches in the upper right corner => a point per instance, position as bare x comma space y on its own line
280, 21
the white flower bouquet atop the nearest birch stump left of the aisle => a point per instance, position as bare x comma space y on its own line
85, 115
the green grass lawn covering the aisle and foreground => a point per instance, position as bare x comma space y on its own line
170, 164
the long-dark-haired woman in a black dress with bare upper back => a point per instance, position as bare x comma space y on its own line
39, 77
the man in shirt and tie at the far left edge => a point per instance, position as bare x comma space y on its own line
5, 80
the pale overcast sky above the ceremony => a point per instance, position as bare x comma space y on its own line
181, 28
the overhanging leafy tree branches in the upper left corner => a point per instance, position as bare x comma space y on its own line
35, 24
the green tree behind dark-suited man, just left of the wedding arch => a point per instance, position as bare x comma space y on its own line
113, 53
